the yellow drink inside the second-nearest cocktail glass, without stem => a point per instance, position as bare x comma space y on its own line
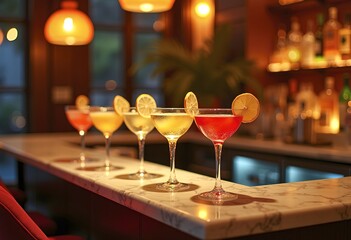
172, 125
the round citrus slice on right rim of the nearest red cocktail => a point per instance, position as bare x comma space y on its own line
247, 106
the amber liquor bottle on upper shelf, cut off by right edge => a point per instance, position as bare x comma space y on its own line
345, 38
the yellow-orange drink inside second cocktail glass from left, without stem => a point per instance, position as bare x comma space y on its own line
106, 122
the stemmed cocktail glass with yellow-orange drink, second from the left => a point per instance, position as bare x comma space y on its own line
107, 122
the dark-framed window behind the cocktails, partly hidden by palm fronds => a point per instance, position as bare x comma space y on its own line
117, 35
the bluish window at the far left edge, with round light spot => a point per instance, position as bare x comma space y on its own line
13, 54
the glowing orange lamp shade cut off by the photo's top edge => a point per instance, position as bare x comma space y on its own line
146, 5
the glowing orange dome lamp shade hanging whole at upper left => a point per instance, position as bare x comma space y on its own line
69, 26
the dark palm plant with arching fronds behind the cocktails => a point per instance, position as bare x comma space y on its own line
209, 72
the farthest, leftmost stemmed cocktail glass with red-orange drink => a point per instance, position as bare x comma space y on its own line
80, 119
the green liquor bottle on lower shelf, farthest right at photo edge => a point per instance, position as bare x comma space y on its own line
344, 98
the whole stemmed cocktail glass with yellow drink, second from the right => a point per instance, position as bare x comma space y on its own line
172, 123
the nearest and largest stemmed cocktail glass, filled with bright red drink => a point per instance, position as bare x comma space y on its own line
217, 125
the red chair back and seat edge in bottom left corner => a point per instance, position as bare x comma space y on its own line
17, 224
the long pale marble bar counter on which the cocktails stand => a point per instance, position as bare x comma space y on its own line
258, 210
